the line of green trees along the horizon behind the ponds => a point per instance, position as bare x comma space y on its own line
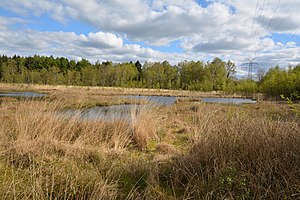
217, 75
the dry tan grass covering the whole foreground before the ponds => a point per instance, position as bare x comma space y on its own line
186, 151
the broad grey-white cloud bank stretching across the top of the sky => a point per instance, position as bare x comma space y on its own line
159, 22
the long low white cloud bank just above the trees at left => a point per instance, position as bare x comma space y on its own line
94, 46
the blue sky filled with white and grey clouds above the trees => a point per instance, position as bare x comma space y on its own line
154, 30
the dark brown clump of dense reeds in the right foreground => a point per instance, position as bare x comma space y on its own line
239, 154
